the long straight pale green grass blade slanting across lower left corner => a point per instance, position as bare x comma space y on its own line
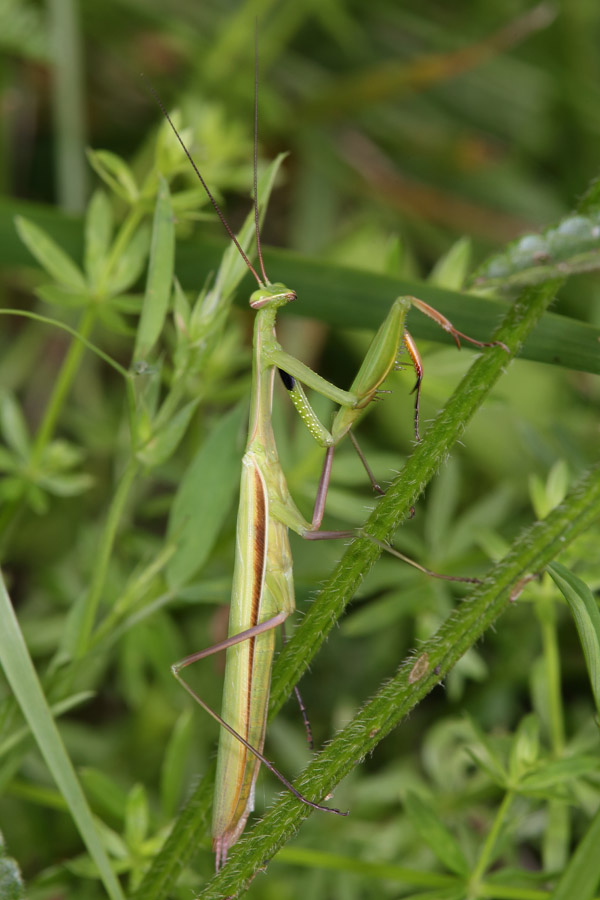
23, 680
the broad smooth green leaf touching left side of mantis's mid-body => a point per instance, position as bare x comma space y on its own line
204, 498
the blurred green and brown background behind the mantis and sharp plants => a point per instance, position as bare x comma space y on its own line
410, 126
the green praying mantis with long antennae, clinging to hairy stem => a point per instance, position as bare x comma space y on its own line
263, 590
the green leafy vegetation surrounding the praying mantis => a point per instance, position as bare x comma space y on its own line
423, 137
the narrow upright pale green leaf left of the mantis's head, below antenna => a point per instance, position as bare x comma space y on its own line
160, 275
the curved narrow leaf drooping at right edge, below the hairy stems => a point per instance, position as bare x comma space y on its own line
584, 610
